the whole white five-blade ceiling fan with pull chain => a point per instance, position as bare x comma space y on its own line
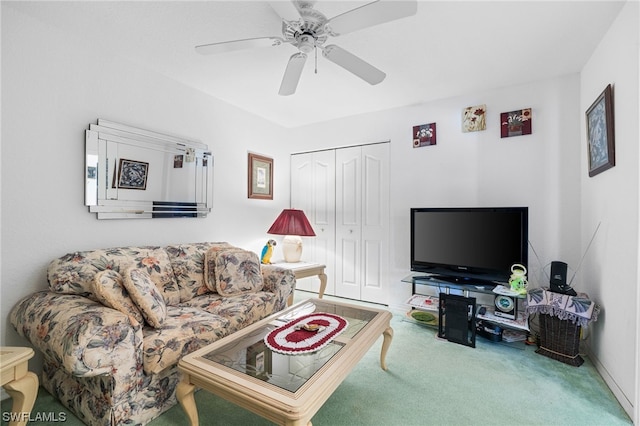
308, 29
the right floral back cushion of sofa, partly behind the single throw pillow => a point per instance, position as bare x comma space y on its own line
187, 261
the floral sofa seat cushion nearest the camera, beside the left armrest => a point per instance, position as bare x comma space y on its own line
185, 330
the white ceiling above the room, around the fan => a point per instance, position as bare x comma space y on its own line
449, 48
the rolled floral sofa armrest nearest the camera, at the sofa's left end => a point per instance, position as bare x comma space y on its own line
83, 336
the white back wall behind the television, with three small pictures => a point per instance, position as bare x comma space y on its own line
477, 169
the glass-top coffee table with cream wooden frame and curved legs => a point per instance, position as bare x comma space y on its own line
283, 388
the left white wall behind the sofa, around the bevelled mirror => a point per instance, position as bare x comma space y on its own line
52, 88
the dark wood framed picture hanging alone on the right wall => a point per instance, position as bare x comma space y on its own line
600, 134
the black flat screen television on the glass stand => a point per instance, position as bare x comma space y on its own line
469, 244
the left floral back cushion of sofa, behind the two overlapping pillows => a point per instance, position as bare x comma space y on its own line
74, 273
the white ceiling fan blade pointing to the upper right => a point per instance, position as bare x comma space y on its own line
371, 14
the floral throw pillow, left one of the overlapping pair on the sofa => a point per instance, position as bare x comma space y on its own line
109, 289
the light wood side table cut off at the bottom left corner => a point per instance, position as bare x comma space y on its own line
20, 383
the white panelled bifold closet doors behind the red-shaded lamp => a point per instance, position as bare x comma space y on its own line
345, 194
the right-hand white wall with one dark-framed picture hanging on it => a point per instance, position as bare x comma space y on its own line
610, 271
